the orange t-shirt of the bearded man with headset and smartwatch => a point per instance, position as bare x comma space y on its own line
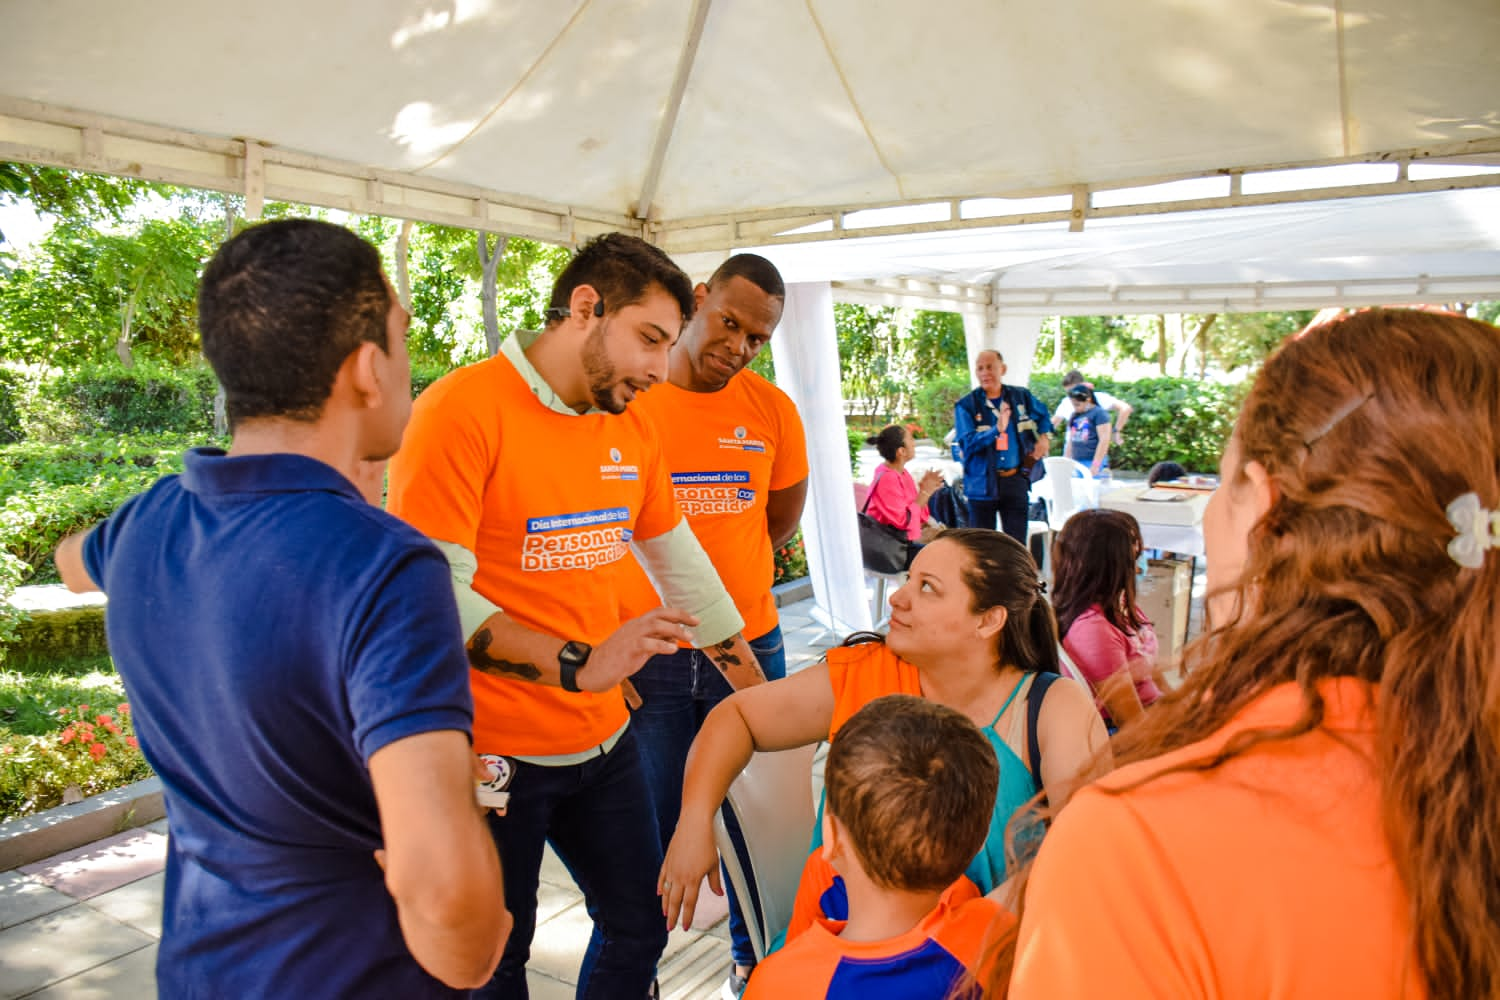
548, 503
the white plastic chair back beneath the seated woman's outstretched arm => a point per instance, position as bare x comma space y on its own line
773, 803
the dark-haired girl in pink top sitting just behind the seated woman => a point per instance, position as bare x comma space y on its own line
1096, 561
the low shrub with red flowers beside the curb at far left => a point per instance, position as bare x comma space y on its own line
89, 753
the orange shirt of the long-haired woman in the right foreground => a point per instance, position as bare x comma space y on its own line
1265, 878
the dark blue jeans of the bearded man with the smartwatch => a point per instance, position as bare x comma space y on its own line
592, 816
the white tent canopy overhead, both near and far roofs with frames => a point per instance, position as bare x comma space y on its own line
1006, 158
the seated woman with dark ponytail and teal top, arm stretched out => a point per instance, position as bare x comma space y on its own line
970, 630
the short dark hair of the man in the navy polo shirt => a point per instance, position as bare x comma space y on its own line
281, 307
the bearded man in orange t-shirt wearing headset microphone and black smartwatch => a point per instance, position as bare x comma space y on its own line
535, 481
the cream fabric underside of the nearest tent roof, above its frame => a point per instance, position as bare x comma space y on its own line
692, 113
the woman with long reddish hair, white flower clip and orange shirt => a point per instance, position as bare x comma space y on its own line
1316, 812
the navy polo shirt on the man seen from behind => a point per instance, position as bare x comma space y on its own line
274, 630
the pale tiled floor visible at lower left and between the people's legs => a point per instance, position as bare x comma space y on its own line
85, 924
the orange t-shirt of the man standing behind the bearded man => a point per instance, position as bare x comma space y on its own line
727, 451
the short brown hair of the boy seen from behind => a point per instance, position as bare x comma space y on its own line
914, 783
